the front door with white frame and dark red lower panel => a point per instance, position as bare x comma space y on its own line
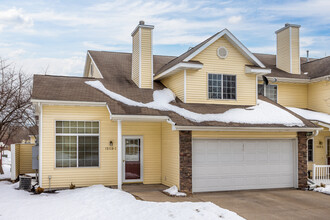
133, 159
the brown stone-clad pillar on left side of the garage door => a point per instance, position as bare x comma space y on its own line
185, 141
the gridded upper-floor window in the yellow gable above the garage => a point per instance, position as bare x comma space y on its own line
221, 86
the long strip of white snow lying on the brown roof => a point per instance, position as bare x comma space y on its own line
262, 113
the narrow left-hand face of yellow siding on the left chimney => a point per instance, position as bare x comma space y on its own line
136, 58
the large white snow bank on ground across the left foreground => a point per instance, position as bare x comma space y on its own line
99, 202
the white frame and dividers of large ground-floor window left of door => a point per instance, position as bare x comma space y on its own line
77, 135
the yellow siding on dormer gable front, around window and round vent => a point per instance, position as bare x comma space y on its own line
234, 64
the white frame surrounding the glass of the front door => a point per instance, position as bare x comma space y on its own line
141, 158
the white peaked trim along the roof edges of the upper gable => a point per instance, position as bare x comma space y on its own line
191, 53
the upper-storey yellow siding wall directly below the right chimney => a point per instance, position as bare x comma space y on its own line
292, 94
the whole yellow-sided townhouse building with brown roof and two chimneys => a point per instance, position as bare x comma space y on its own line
113, 126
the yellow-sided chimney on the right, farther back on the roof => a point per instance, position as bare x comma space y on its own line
287, 48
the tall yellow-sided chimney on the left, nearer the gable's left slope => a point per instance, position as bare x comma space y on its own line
142, 57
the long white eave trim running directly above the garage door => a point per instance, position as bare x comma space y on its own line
262, 129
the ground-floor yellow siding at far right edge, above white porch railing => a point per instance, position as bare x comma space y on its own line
320, 149
